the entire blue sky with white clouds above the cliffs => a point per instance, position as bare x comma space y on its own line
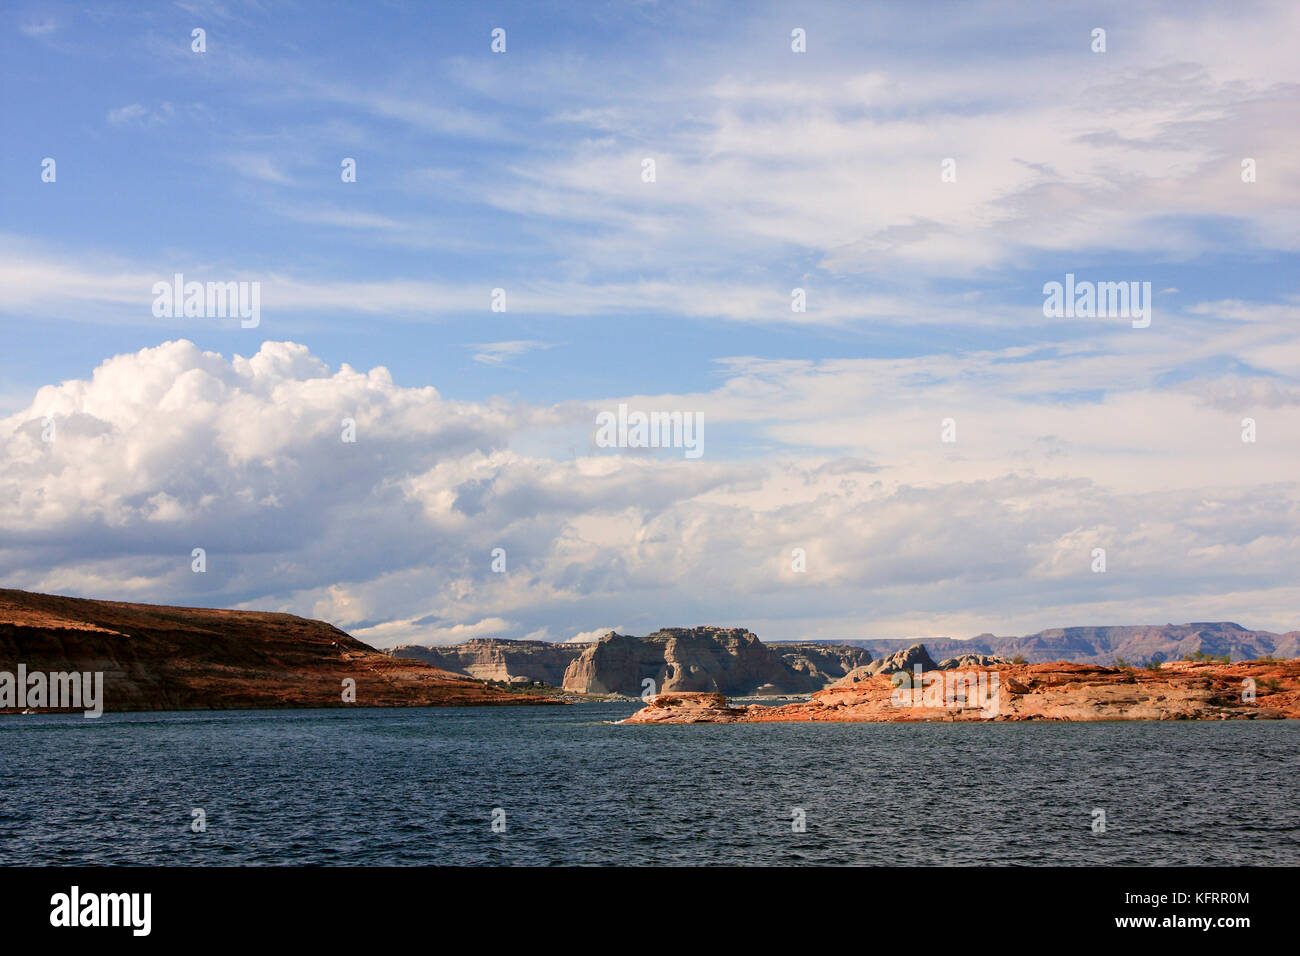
920, 172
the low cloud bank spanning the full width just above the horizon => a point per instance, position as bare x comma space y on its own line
392, 537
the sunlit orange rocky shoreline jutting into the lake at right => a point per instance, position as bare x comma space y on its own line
1056, 691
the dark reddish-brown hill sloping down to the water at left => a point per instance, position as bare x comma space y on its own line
194, 659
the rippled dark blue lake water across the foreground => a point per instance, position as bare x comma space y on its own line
421, 786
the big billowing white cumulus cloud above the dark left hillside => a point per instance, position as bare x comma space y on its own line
175, 448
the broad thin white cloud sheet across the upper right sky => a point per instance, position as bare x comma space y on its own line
757, 161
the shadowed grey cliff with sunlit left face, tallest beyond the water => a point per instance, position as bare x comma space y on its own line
723, 660
